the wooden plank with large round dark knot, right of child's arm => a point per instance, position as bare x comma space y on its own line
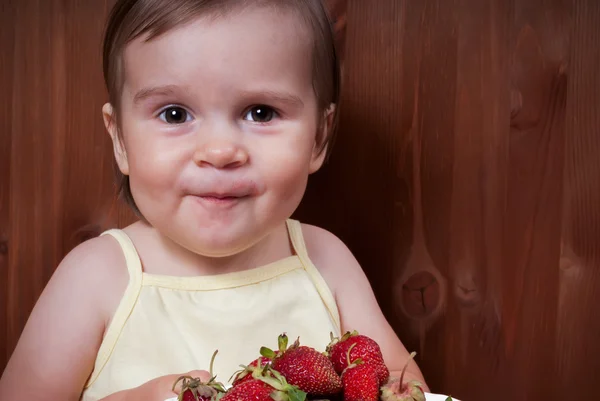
429, 60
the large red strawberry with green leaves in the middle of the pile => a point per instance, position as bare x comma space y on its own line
304, 367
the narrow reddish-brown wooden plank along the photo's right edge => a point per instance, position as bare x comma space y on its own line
577, 346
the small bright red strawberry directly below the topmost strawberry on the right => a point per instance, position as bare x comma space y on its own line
360, 382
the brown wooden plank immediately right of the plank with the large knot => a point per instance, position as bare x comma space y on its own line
473, 326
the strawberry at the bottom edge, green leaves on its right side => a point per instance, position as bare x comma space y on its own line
270, 387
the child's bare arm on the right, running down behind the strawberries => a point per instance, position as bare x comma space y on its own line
356, 300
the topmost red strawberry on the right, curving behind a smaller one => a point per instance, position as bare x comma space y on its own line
362, 347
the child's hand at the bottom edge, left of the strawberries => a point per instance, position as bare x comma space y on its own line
159, 389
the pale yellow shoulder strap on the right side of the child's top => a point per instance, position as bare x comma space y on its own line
297, 239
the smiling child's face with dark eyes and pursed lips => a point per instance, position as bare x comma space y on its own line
219, 122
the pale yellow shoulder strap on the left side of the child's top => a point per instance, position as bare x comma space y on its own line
128, 301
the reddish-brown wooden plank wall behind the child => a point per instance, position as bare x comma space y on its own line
466, 177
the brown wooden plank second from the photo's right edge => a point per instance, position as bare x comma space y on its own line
539, 56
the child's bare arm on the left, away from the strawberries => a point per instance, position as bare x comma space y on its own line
57, 348
